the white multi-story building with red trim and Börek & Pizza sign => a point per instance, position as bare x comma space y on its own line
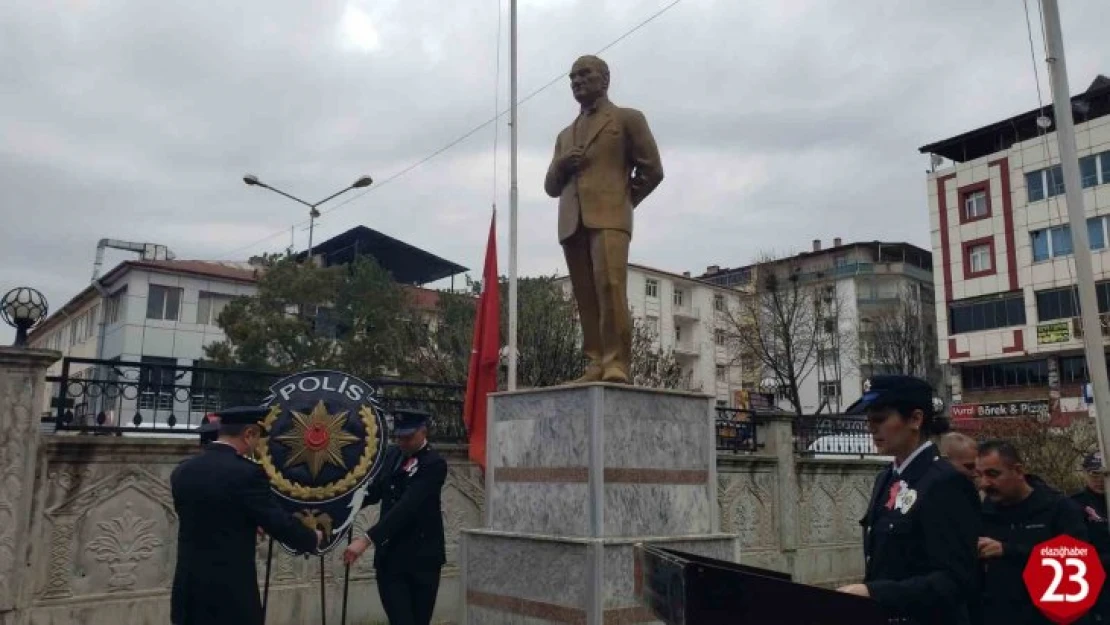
1004, 259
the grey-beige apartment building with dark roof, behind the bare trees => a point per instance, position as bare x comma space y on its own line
855, 290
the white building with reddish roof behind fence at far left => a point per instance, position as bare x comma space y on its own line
149, 312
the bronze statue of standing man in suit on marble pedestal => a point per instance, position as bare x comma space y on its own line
606, 164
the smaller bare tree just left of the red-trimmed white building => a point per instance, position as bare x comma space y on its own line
902, 338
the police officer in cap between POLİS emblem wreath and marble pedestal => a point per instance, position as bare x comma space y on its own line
409, 542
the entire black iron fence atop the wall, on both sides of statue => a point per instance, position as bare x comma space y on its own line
97, 397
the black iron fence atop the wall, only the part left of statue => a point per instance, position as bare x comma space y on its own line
102, 397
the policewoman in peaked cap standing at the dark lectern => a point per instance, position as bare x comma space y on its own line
923, 525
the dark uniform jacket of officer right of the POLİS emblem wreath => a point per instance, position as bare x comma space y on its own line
409, 535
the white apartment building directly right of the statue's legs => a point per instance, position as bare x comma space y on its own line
687, 316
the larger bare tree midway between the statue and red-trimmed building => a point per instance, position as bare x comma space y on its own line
791, 327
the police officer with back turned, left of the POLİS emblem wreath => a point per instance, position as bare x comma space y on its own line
221, 499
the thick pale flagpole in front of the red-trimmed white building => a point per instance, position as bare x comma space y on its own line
1077, 217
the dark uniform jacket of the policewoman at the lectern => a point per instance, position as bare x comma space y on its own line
921, 563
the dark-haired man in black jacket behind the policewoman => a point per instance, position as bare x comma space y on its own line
1020, 513
